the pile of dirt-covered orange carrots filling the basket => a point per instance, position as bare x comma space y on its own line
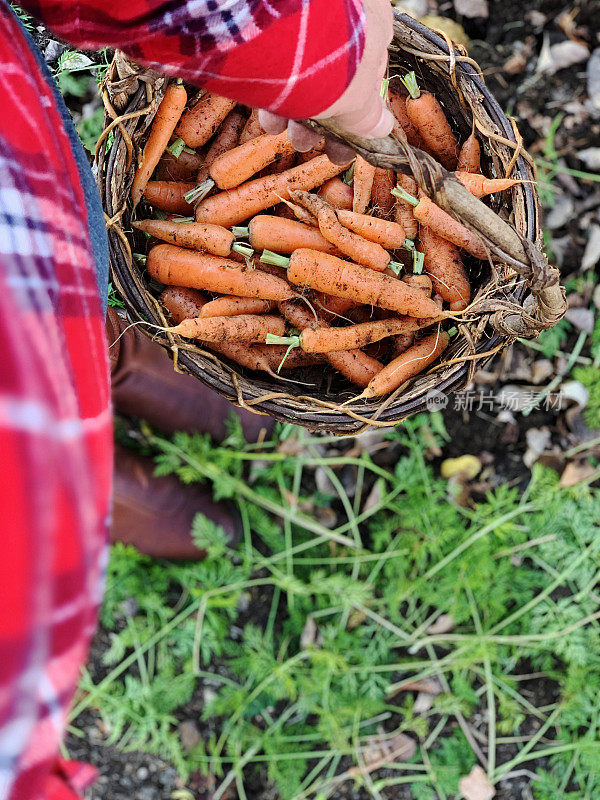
280, 261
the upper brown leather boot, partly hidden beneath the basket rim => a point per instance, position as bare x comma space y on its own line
144, 384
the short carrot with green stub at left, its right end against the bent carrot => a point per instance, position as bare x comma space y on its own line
266, 232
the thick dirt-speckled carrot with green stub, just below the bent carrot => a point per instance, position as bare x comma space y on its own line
329, 274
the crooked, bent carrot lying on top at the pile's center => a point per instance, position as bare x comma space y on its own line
365, 252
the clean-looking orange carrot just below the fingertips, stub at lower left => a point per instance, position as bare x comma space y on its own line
237, 165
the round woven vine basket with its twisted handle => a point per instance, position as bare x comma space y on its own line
518, 295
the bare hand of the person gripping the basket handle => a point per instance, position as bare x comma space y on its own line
361, 109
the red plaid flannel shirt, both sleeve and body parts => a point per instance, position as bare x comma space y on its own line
292, 56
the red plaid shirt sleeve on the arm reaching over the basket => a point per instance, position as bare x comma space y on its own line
293, 57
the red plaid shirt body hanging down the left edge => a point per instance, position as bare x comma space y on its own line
55, 428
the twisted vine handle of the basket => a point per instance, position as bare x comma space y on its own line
546, 305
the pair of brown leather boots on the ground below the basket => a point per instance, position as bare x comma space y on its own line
155, 514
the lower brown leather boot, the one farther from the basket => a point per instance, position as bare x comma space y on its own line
155, 514
